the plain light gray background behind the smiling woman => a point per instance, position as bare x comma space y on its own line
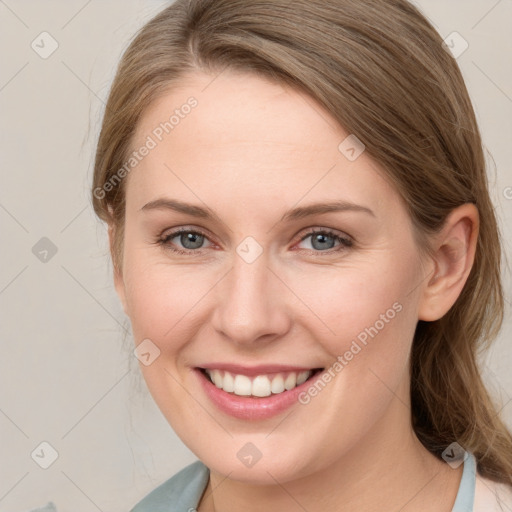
67, 373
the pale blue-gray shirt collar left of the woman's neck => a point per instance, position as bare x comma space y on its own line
180, 493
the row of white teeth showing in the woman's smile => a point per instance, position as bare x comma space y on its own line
261, 385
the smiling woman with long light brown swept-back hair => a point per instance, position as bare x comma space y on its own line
303, 240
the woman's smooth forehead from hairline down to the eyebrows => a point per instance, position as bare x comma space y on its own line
239, 133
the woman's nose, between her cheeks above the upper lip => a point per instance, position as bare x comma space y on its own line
251, 304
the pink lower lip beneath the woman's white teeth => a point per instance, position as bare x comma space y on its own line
249, 408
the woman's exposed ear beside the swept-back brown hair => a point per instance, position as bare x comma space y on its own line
454, 253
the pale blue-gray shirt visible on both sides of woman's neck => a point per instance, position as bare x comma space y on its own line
183, 491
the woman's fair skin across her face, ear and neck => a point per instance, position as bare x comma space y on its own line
250, 151
